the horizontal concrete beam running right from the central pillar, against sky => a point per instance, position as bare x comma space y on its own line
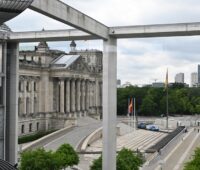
159, 30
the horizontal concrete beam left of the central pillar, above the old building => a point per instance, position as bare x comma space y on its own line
53, 35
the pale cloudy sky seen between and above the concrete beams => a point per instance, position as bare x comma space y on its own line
140, 61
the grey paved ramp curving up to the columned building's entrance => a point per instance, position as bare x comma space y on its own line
85, 127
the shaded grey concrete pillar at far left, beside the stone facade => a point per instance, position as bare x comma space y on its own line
12, 102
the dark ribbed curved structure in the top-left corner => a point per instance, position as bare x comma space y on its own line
11, 8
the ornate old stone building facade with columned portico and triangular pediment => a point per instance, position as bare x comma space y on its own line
55, 87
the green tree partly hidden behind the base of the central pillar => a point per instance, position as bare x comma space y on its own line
126, 159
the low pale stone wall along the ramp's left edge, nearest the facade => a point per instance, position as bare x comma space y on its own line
46, 139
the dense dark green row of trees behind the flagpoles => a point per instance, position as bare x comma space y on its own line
152, 101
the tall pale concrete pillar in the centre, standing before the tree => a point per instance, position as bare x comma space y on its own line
109, 103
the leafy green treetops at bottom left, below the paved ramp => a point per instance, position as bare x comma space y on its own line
40, 159
